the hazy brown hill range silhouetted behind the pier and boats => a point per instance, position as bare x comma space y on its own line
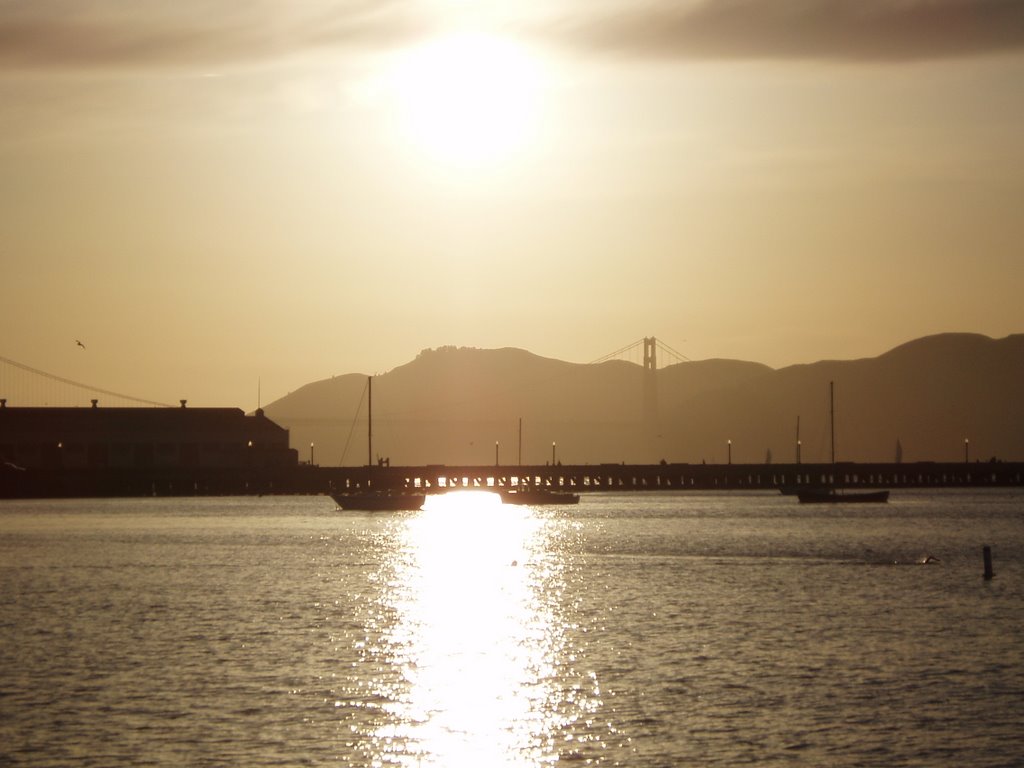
452, 406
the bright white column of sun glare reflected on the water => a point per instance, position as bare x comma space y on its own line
477, 638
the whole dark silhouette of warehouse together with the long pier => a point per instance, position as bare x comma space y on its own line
110, 452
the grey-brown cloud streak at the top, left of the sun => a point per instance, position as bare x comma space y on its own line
74, 34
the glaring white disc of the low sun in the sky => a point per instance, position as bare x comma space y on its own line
468, 99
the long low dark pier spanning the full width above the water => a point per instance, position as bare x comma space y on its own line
306, 479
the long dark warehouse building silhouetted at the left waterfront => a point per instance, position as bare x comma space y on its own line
61, 452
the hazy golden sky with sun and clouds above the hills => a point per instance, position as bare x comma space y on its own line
215, 194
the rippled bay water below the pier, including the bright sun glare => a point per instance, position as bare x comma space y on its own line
635, 630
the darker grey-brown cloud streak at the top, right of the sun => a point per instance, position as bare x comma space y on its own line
842, 30
